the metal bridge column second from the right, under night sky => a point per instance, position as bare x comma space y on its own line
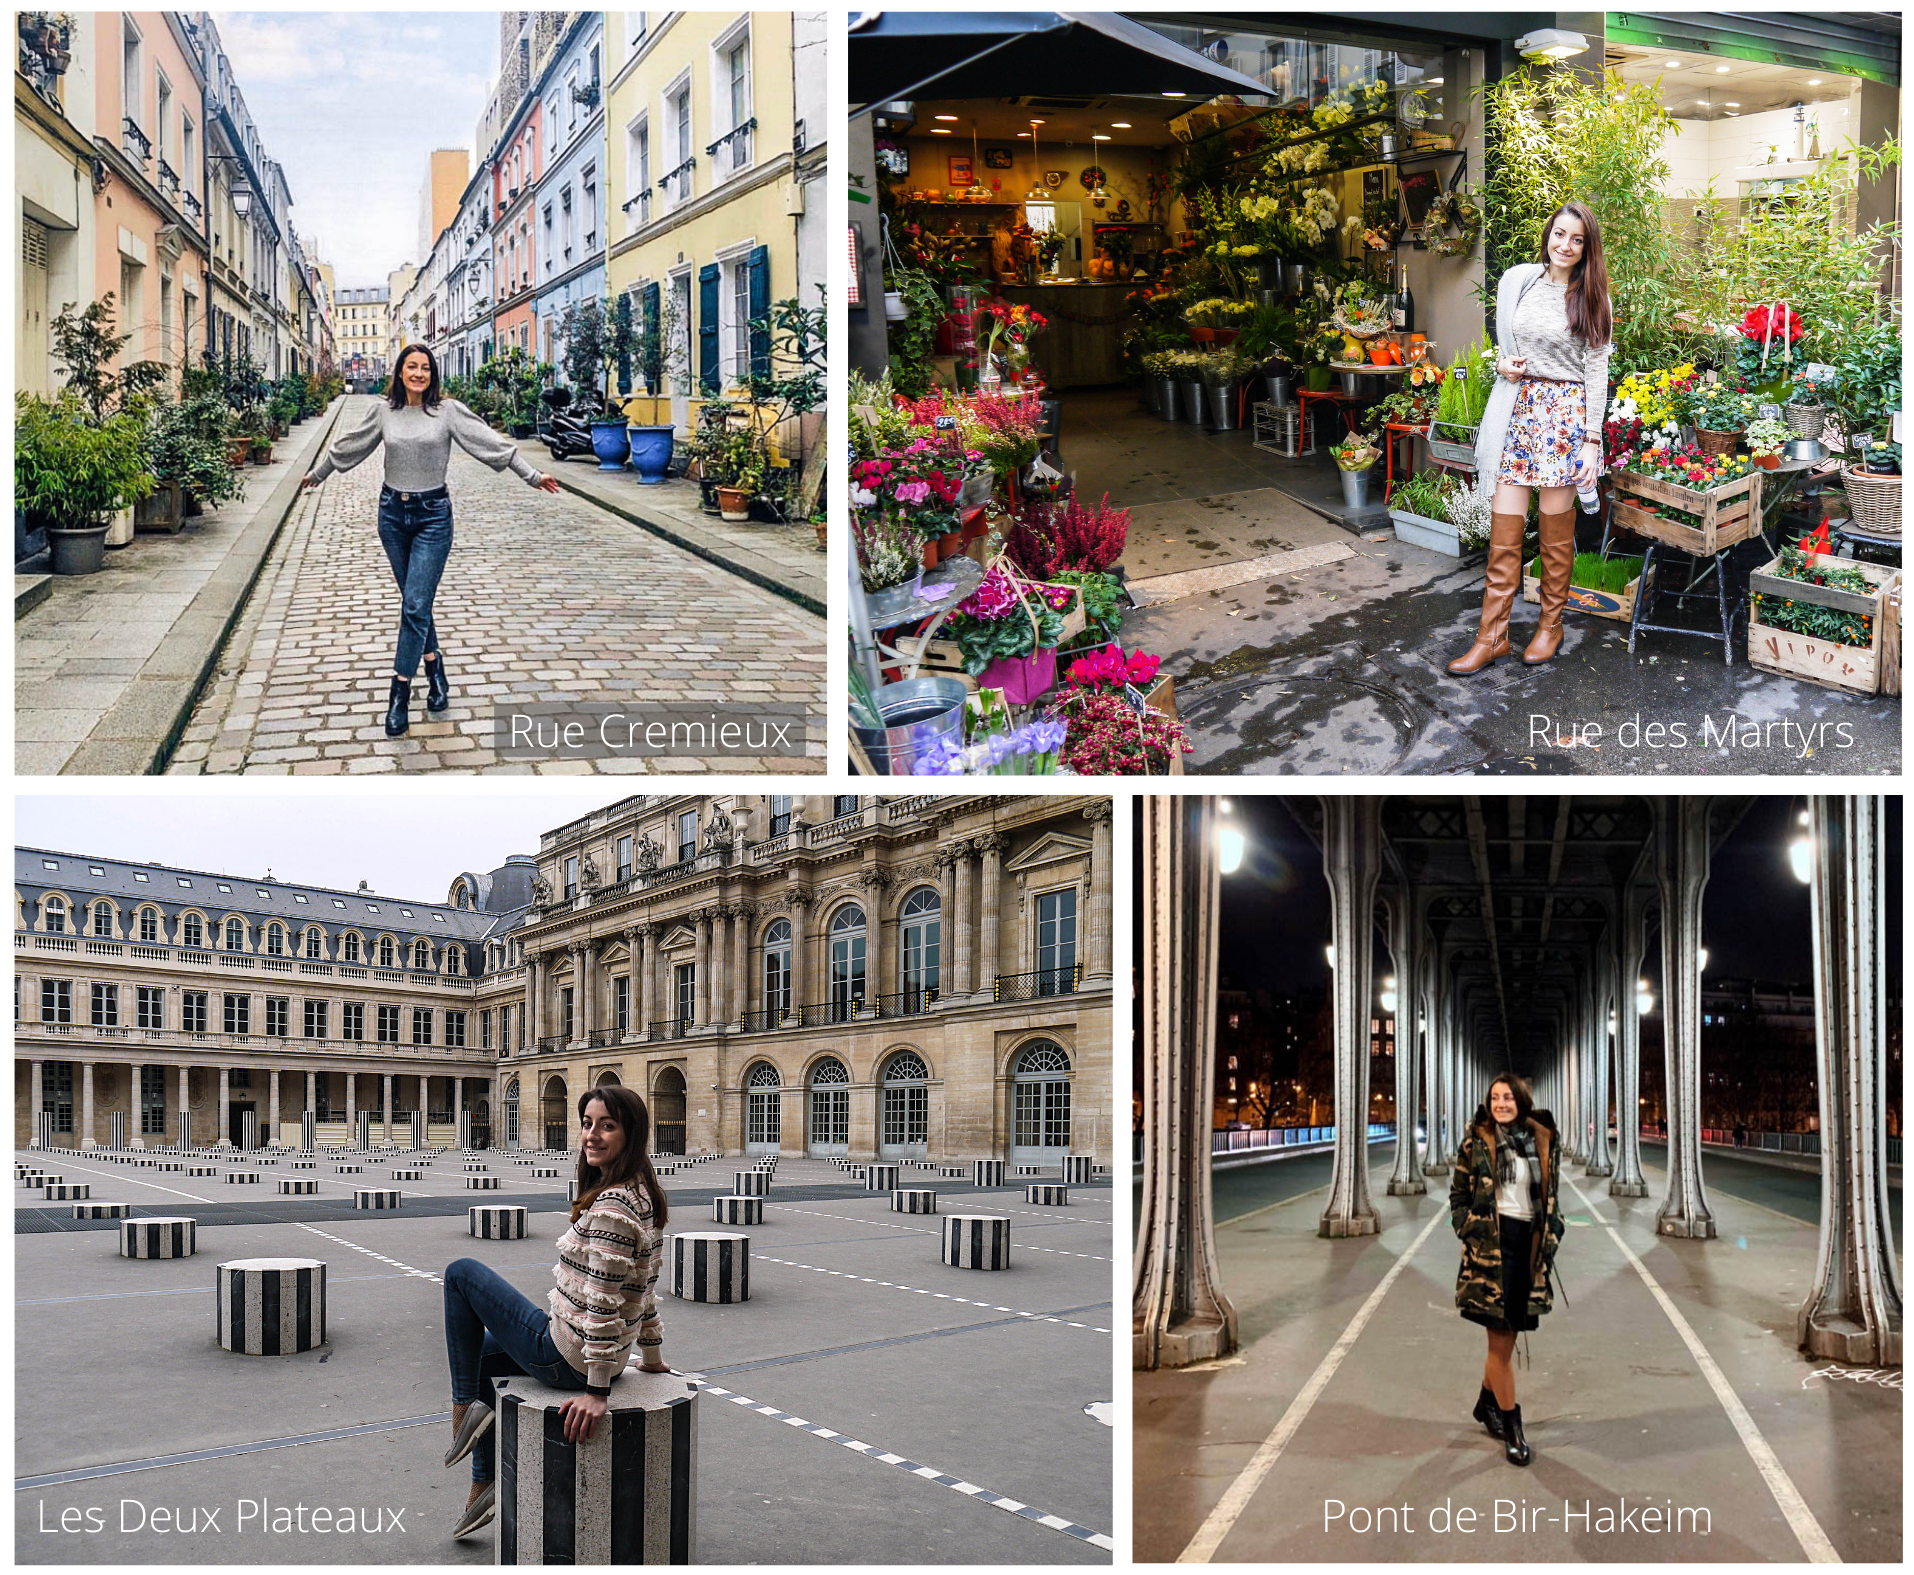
1681, 872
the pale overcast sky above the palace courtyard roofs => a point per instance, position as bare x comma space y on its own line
403, 845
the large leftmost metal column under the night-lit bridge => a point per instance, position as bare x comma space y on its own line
1180, 1314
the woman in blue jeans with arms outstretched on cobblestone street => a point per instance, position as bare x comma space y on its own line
418, 430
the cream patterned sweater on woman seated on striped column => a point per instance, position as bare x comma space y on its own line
604, 1285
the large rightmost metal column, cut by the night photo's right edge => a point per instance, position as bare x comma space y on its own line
1854, 1310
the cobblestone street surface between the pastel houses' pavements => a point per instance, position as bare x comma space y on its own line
545, 600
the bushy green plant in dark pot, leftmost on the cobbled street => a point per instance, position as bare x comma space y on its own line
72, 476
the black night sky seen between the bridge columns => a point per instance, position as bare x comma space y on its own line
1756, 914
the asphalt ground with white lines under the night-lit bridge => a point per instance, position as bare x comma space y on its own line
1668, 1379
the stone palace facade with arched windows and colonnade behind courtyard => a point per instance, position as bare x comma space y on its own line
878, 977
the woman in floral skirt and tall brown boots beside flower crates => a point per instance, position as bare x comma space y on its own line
1544, 426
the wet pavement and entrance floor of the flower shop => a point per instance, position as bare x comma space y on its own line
1339, 663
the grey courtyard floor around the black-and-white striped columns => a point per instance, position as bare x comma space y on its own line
855, 1325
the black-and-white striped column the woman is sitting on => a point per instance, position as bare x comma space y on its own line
625, 1496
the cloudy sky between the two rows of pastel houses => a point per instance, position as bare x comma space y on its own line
353, 102
